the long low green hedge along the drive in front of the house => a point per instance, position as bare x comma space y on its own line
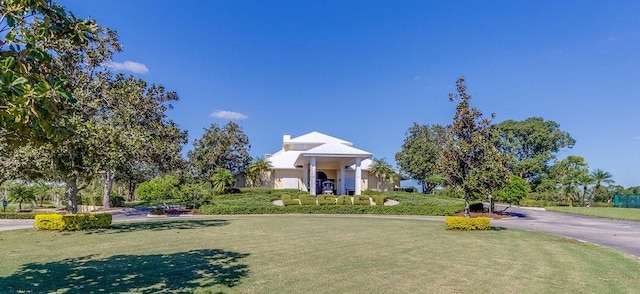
334, 209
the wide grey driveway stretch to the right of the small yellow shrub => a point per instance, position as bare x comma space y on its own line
616, 234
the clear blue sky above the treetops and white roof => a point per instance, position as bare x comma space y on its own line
364, 71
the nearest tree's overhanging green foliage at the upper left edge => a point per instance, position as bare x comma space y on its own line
33, 97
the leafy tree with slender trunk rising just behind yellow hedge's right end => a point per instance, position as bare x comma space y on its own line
133, 130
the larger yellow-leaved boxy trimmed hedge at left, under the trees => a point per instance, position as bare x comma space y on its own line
73, 222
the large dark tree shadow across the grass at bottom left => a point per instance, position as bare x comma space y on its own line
215, 269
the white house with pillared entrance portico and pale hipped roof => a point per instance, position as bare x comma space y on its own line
319, 164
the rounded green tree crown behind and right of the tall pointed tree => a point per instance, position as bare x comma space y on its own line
530, 144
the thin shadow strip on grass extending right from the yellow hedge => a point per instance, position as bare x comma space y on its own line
164, 225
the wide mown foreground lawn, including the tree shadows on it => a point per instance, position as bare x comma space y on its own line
308, 254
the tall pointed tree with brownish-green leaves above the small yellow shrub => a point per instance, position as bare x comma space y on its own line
470, 160
